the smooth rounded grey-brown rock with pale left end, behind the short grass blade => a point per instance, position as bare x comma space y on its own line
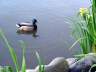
58, 64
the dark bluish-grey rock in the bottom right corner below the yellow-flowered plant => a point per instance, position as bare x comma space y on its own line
84, 64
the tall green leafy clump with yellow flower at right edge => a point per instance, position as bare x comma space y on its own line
84, 29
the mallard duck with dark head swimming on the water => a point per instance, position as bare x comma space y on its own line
27, 26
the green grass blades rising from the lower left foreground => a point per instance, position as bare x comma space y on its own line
15, 59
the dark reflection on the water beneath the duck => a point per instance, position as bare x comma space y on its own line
33, 33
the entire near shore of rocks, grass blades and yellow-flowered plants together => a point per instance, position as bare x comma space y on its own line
83, 30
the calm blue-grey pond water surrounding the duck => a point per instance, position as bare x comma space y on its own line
53, 28
